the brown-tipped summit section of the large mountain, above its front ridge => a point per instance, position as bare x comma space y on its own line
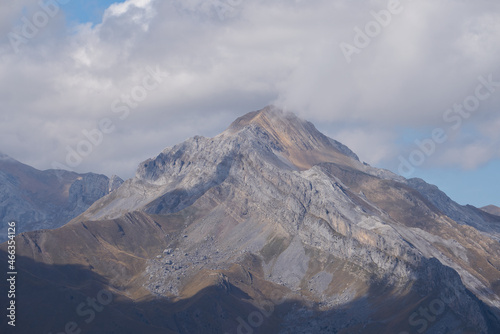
268, 136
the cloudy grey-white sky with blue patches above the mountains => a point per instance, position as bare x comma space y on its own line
411, 86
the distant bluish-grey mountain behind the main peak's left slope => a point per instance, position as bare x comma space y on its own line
46, 199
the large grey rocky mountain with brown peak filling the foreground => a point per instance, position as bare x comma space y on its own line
269, 227
